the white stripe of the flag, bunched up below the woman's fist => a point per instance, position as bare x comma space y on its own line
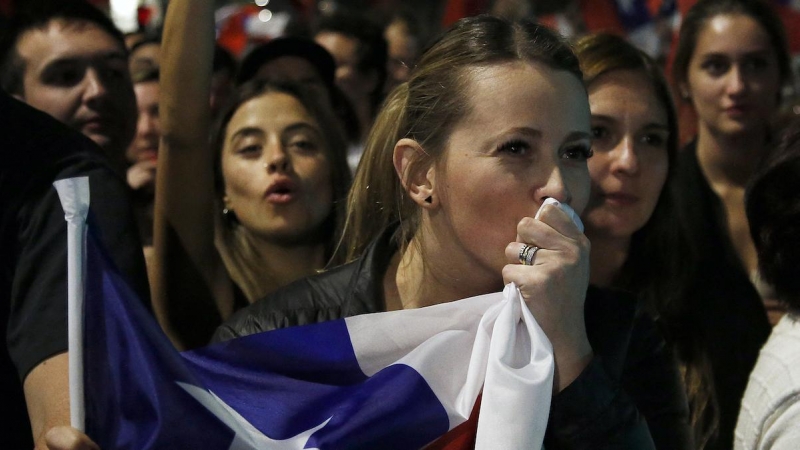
490, 343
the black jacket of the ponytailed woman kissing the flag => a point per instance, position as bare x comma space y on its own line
630, 391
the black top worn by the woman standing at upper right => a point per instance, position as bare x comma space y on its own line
724, 312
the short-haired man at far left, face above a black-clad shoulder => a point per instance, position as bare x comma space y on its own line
67, 59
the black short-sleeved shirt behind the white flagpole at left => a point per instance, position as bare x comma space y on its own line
37, 150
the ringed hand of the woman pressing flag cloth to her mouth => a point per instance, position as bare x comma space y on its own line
554, 287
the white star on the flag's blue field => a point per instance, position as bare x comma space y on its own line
247, 437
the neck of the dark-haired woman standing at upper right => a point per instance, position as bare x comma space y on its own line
729, 159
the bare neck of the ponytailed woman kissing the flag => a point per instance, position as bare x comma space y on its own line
414, 281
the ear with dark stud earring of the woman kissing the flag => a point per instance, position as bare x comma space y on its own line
420, 184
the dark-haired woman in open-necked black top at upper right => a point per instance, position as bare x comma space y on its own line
730, 65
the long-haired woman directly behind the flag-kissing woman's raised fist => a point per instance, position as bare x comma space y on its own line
632, 218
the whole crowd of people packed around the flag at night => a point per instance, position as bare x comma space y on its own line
365, 167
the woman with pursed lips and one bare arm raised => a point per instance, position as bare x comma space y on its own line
251, 212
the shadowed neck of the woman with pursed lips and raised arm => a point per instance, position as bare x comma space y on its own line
287, 263
